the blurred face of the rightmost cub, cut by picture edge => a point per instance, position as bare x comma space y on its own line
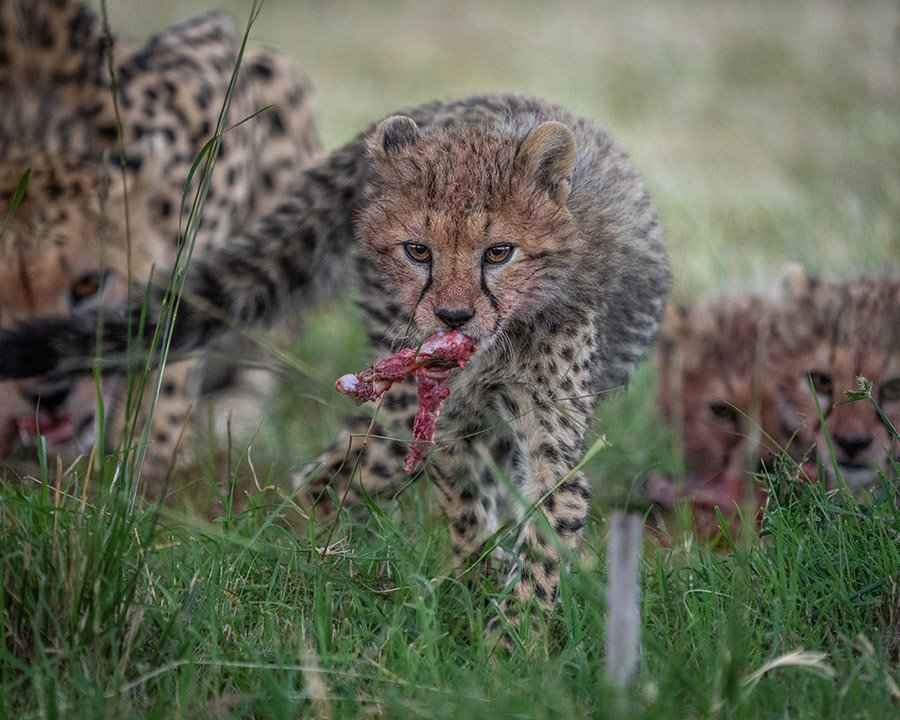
847, 330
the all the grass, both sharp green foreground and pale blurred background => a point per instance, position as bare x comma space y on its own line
767, 133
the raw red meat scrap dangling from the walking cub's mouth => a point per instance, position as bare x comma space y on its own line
431, 363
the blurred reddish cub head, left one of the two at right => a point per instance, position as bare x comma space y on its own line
717, 364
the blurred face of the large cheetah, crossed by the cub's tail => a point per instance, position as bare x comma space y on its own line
63, 249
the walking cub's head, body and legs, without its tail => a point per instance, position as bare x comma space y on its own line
536, 239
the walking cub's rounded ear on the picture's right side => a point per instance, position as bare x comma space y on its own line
548, 155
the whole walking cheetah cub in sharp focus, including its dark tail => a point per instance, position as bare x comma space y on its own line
508, 219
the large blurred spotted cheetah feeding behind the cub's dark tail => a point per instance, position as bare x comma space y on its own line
77, 238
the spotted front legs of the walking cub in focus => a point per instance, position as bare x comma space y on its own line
538, 448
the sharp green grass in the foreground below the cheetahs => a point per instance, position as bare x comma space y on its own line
113, 613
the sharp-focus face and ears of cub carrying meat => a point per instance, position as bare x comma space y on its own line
469, 240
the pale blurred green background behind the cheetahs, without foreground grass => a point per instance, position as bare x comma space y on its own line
768, 132
